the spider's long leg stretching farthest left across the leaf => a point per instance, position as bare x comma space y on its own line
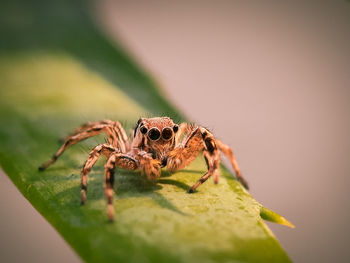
115, 134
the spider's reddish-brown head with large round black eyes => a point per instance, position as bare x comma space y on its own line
158, 131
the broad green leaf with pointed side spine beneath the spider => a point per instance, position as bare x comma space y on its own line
57, 71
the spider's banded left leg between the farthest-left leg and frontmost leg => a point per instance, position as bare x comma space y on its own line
106, 150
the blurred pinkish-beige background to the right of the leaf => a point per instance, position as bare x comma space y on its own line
271, 79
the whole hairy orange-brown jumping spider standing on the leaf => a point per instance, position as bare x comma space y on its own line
155, 143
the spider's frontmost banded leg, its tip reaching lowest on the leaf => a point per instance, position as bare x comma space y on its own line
120, 160
